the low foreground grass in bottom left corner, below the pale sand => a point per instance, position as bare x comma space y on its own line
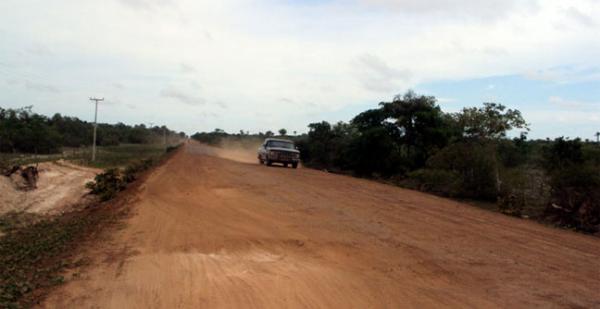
33, 253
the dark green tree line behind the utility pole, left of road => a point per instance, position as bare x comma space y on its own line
24, 131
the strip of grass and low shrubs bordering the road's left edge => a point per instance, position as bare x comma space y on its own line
36, 250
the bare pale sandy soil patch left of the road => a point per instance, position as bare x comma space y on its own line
60, 185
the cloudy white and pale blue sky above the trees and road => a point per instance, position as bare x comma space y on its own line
255, 65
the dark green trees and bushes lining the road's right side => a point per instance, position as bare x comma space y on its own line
411, 142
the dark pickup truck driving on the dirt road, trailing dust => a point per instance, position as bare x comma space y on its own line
277, 150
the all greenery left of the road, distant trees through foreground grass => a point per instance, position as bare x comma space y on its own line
36, 250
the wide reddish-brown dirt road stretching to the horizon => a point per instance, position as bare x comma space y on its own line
207, 232
